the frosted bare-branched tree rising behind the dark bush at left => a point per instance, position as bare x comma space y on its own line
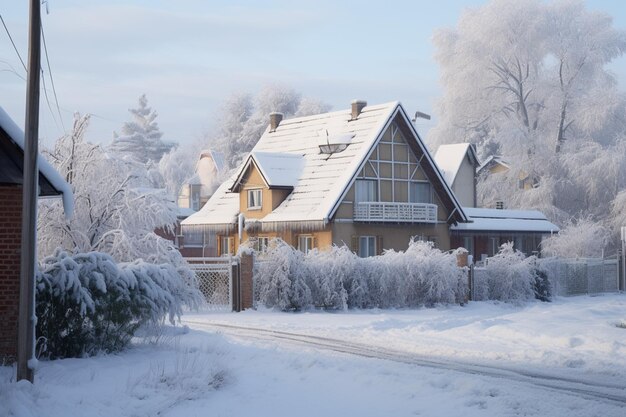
116, 208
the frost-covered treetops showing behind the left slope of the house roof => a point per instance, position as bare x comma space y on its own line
243, 118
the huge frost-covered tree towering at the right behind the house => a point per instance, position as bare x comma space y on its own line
528, 80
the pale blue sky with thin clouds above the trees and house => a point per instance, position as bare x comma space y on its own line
188, 55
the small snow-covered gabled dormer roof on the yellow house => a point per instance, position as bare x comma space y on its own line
278, 169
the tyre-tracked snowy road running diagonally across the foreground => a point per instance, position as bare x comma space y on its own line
601, 388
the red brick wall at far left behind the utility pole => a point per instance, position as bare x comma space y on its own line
10, 243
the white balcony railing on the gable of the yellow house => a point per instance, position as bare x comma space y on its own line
374, 211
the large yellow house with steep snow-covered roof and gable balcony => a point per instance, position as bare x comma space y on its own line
360, 177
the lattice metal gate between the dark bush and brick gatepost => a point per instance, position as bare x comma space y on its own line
215, 281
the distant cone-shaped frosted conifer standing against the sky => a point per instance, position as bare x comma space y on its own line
140, 138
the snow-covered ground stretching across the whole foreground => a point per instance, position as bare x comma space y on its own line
240, 370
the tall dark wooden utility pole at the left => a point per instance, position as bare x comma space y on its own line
30, 186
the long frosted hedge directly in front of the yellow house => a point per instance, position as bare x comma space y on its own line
338, 279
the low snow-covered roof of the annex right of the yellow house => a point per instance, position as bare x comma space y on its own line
495, 220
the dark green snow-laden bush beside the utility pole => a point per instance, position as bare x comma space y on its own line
87, 303
